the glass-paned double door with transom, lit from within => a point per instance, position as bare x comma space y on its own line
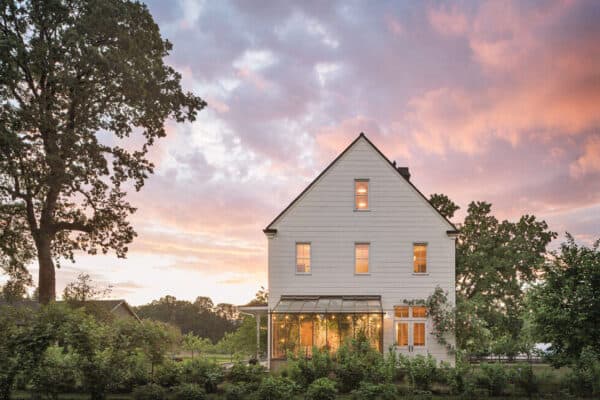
411, 329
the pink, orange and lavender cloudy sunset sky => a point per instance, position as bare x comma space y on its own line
495, 101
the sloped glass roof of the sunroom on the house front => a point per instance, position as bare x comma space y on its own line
329, 305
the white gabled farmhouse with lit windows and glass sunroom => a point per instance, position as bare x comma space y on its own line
347, 252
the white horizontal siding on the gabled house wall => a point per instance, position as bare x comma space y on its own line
398, 217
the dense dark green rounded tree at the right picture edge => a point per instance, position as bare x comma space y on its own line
569, 297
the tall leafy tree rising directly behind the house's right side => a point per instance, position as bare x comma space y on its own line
494, 261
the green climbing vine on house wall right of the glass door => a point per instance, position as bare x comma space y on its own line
442, 315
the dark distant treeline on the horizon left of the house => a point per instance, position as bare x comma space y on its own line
201, 317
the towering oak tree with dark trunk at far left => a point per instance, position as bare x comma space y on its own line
77, 79
